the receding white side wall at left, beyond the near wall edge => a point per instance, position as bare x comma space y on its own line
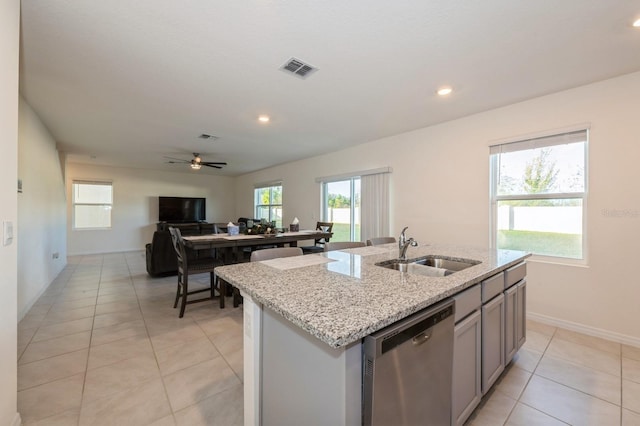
41, 209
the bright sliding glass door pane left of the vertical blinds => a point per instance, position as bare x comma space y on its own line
341, 203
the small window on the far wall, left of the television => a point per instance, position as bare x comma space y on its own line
92, 203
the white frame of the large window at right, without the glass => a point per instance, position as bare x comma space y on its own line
495, 198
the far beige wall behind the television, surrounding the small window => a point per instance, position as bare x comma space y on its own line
135, 204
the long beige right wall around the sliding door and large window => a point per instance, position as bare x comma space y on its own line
440, 189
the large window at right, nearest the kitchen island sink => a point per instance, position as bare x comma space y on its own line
538, 195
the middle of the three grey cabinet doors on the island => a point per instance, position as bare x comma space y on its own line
492, 341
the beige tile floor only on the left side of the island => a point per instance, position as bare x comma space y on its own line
104, 346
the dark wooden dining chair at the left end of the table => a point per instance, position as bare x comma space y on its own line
188, 267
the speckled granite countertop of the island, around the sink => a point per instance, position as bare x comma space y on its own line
342, 296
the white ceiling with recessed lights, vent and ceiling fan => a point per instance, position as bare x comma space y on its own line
126, 83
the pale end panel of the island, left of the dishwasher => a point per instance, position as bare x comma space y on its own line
292, 378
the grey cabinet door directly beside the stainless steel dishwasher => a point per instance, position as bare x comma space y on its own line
466, 388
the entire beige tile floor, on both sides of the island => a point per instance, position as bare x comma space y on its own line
103, 346
